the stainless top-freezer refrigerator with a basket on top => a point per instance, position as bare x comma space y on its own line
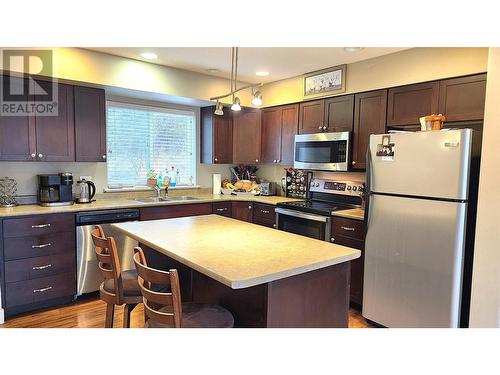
417, 191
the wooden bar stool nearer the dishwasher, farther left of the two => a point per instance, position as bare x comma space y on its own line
118, 287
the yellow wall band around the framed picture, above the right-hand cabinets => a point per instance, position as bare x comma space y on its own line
400, 68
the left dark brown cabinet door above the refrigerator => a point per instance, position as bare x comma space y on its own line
406, 104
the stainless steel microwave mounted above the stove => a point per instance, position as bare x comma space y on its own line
322, 151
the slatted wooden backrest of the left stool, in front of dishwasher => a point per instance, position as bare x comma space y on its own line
109, 263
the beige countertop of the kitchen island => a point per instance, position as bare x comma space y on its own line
236, 253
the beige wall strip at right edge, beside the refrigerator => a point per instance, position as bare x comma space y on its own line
485, 305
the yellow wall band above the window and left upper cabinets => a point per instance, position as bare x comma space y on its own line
82, 65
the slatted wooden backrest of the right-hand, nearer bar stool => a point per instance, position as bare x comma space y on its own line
160, 290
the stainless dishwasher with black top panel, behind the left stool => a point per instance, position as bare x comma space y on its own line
87, 270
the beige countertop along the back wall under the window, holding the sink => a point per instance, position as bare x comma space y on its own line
114, 203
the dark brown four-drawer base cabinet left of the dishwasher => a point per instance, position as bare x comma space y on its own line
39, 261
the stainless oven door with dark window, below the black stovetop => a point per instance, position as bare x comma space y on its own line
303, 223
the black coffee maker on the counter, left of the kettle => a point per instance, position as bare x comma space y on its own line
55, 189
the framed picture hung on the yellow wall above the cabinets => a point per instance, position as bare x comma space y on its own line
326, 81
